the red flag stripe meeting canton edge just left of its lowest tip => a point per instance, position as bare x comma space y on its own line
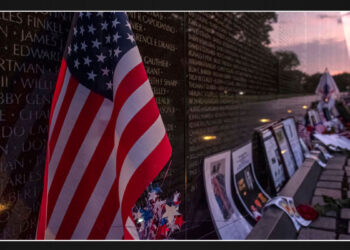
76, 138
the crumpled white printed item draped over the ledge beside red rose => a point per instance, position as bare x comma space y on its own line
287, 205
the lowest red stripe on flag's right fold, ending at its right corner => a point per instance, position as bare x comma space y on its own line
143, 176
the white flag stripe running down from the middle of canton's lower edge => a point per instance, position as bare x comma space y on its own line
76, 106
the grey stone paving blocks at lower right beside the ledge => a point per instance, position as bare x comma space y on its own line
334, 182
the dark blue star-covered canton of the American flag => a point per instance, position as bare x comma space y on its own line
99, 41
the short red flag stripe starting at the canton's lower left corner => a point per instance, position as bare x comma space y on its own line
71, 88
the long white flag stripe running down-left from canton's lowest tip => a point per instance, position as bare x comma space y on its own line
79, 165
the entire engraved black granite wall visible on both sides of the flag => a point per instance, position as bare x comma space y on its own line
212, 77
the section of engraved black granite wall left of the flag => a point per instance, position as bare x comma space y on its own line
31, 48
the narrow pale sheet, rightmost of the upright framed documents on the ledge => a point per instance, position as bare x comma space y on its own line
293, 138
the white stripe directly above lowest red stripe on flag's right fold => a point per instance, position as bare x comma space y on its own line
139, 152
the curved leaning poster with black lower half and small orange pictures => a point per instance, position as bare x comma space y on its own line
248, 189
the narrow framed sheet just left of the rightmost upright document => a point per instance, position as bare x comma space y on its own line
284, 149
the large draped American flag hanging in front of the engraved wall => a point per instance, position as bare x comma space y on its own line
107, 140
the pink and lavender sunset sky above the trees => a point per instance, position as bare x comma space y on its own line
320, 39
